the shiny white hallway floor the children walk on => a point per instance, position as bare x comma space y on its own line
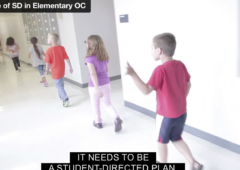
35, 128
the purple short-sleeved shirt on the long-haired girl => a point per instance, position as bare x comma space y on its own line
101, 71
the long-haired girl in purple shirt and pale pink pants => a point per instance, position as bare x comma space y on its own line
99, 82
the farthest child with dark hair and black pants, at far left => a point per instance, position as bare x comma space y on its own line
13, 48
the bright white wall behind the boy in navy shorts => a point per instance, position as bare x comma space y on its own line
207, 35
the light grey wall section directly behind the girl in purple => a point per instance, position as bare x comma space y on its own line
100, 21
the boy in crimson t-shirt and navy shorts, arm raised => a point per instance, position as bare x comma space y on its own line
171, 81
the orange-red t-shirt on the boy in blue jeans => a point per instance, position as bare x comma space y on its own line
55, 56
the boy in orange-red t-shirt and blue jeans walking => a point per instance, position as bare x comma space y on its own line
55, 56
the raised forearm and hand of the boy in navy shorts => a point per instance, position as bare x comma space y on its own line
143, 87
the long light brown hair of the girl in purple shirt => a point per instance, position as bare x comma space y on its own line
96, 47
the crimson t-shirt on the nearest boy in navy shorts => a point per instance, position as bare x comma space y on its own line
170, 81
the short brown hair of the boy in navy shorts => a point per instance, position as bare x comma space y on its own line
166, 42
